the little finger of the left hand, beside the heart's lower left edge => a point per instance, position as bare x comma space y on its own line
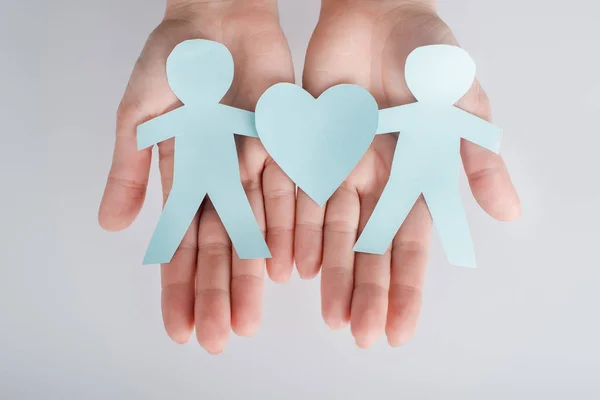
280, 206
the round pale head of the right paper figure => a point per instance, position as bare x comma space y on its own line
439, 73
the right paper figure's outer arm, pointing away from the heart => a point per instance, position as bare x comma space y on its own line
477, 130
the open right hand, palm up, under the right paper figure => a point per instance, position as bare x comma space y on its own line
367, 43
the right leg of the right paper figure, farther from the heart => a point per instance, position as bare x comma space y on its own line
450, 221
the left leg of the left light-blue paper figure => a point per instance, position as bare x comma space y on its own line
175, 220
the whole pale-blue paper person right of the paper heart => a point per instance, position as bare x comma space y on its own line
427, 155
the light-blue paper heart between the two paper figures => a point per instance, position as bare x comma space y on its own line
317, 142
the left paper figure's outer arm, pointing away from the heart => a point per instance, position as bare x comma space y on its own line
161, 128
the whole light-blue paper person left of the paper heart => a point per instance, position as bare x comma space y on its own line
200, 72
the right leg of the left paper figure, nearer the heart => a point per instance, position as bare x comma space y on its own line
236, 214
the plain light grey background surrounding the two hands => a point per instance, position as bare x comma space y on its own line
80, 318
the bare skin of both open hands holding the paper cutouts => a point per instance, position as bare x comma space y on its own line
356, 41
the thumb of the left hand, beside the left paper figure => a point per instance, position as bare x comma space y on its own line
147, 96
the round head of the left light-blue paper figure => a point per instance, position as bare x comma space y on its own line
200, 71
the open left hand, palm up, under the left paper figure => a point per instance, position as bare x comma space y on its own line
205, 284
